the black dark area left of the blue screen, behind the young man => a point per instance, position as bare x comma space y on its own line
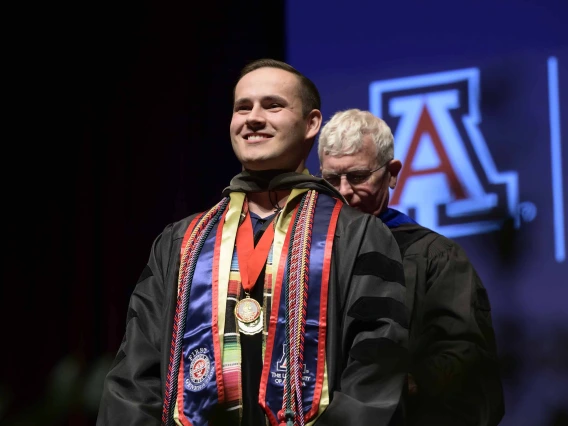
125, 111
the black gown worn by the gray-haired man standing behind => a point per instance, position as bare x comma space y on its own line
451, 342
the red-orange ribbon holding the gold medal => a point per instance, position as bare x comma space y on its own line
252, 259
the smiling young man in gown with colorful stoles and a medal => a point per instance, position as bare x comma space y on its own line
280, 305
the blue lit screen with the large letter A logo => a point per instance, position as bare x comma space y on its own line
477, 97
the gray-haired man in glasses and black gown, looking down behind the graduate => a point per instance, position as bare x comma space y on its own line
453, 378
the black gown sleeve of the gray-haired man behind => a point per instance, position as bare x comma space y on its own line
455, 357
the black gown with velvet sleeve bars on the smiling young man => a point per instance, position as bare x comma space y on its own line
367, 333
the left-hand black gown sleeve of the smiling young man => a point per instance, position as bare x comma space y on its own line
132, 392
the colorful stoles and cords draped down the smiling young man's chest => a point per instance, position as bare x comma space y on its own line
205, 364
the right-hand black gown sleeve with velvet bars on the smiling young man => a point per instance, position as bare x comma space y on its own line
369, 364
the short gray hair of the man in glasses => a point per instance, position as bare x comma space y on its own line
343, 134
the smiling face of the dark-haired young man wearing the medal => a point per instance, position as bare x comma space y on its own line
269, 130
